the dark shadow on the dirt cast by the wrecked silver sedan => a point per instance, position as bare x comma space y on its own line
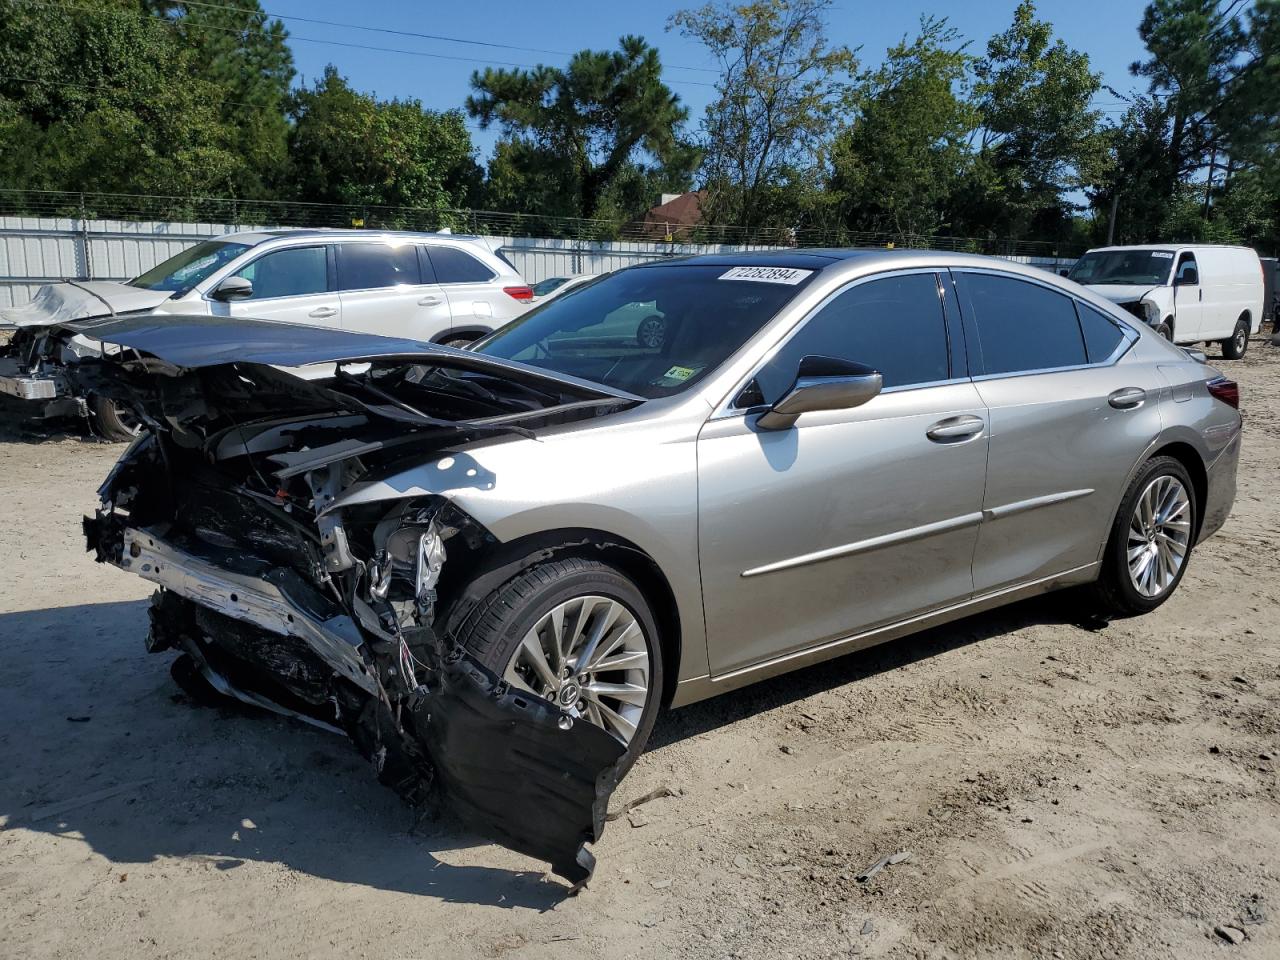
103, 748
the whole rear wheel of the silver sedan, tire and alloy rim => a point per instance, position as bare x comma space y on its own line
1151, 541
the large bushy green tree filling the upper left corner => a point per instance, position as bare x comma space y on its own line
107, 99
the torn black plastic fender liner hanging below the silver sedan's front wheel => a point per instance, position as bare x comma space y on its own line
516, 769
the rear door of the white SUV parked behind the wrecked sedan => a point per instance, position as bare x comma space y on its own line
385, 291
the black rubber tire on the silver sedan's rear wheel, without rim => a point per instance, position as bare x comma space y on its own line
1117, 593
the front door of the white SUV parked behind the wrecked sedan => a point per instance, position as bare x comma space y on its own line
294, 285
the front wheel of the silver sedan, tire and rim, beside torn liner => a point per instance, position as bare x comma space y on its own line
580, 634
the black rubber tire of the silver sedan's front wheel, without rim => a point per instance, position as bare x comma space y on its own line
496, 629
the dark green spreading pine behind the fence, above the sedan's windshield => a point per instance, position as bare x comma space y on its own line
572, 134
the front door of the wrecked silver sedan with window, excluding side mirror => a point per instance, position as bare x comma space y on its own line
849, 519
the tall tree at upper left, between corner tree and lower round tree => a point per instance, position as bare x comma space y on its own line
236, 47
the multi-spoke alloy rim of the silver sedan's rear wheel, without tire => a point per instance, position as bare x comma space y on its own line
1160, 533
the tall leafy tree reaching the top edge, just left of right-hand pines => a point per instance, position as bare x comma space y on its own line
1039, 140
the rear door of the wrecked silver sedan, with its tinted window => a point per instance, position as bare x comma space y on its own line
1069, 418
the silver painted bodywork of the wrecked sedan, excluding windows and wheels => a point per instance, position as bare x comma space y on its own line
1041, 523
